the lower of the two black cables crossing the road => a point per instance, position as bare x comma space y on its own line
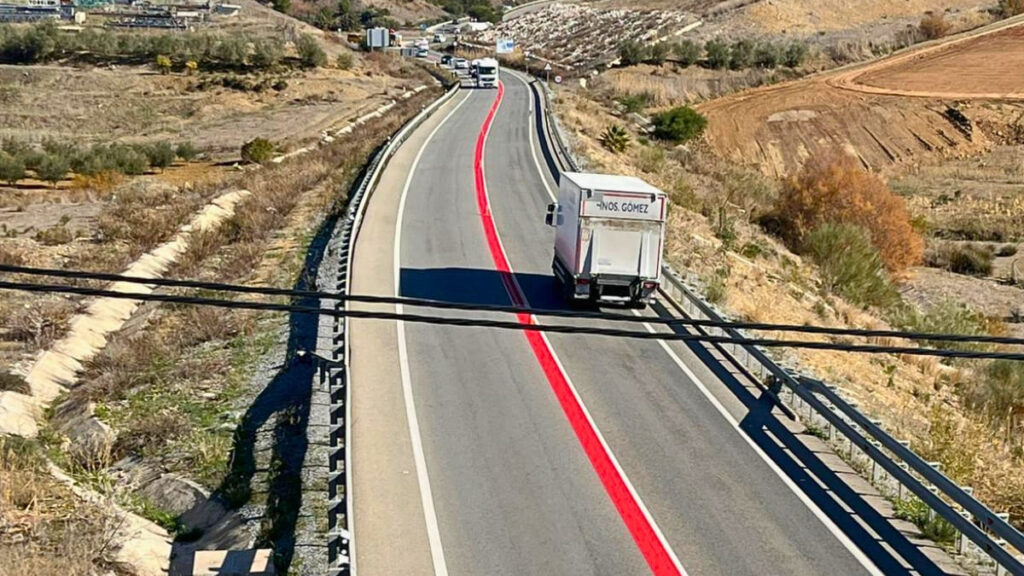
505, 325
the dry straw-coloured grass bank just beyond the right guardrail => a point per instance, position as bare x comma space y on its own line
757, 278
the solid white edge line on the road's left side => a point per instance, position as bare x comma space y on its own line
426, 497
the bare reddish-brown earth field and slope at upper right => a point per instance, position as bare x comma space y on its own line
886, 113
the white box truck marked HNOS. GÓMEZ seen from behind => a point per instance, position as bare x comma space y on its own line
610, 233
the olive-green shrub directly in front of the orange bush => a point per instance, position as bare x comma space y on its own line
849, 264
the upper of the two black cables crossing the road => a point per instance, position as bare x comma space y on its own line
221, 287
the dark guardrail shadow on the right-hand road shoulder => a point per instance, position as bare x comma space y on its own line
799, 464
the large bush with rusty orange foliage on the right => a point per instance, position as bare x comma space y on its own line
836, 189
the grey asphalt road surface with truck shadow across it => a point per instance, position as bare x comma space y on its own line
502, 484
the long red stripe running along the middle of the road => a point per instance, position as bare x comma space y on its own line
659, 558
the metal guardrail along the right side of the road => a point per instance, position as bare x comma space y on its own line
983, 534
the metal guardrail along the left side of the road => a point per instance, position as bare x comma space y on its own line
340, 542
